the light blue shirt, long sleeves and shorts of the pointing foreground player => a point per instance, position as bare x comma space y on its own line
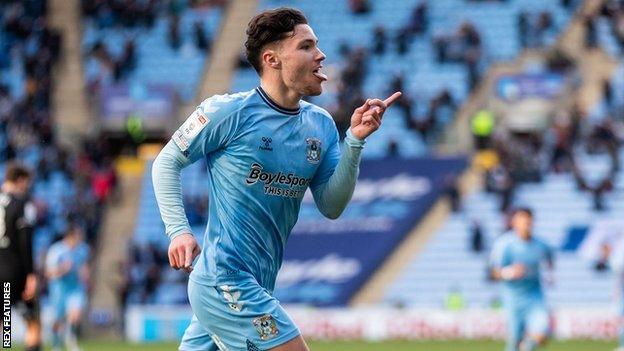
261, 159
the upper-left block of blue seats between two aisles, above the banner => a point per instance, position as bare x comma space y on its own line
150, 42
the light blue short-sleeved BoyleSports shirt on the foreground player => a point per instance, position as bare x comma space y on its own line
261, 159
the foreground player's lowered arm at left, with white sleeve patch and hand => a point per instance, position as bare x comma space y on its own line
210, 127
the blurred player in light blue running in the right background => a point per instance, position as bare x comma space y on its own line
516, 259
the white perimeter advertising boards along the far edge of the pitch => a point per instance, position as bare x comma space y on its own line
160, 323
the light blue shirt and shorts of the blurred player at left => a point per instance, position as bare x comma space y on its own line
67, 291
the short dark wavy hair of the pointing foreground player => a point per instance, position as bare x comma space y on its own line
268, 27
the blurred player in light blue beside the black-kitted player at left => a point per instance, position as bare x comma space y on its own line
67, 273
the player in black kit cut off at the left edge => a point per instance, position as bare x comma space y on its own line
16, 219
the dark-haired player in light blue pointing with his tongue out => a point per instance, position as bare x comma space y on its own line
263, 149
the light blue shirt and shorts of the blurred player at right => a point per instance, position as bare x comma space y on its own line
523, 298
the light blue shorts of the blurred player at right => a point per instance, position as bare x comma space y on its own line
532, 319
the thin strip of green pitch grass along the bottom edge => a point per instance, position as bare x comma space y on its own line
581, 345
